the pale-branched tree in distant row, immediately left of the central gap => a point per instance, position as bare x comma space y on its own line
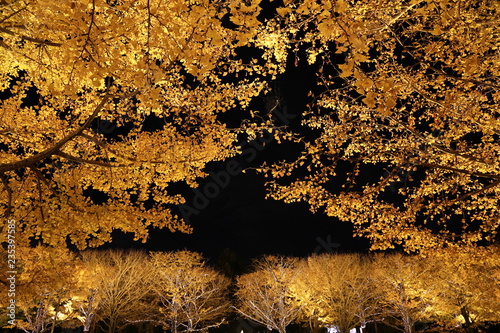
192, 296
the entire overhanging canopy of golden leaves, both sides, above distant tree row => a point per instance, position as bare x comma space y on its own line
415, 91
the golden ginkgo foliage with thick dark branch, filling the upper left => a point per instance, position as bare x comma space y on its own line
66, 65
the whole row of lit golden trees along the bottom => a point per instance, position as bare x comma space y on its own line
452, 290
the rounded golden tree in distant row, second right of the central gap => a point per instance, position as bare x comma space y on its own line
334, 291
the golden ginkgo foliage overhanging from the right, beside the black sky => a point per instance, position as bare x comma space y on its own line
406, 119
